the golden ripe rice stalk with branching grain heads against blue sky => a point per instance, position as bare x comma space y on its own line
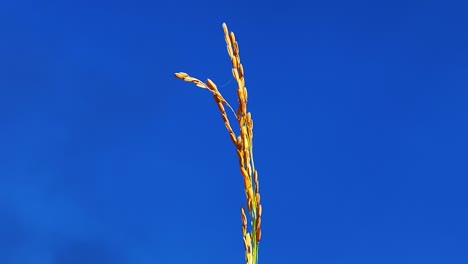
243, 144
